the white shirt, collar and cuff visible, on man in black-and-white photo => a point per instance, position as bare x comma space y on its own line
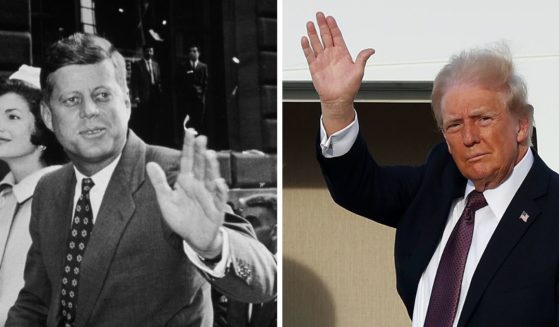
101, 181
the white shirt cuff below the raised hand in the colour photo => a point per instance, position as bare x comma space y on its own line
340, 142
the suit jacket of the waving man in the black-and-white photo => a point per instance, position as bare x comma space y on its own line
134, 272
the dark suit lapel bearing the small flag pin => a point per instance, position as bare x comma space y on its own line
509, 231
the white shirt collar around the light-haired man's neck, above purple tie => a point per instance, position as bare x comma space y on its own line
499, 198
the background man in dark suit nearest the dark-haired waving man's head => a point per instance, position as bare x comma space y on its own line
146, 92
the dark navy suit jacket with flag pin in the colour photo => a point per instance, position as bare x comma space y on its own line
516, 280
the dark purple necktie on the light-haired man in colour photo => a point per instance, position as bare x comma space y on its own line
448, 280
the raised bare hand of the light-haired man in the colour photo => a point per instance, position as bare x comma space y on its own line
336, 77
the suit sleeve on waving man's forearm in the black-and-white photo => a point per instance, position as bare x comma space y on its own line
251, 275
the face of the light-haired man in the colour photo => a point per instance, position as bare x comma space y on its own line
486, 141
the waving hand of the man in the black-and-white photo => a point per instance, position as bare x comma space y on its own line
195, 207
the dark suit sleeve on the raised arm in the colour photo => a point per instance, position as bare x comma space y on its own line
357, 183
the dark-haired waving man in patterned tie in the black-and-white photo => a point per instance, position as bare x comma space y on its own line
113, 243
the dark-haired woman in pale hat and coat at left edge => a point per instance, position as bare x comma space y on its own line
30, 150
